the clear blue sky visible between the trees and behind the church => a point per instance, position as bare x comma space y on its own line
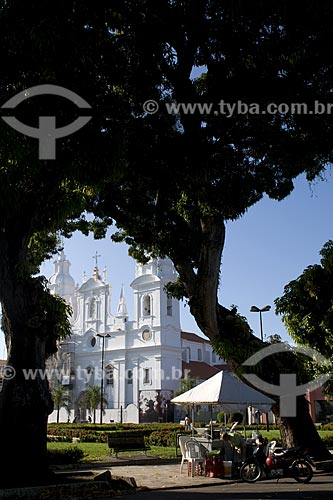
265, 249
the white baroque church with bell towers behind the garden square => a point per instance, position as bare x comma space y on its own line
137, 363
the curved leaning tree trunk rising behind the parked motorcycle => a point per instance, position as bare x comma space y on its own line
232, 337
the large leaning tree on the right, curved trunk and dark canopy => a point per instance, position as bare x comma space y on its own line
193, 169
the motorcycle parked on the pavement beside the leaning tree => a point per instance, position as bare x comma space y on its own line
268, 463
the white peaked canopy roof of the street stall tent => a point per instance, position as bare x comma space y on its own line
227, 391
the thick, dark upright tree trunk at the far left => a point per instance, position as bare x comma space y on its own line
25, 400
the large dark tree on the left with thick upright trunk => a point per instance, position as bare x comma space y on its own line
41, 44
